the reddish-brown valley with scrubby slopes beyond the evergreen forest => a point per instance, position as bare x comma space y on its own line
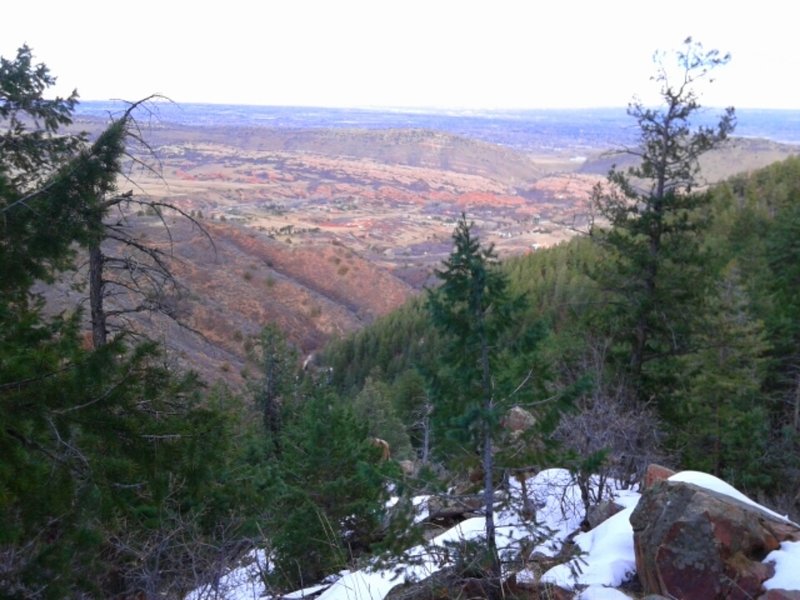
323, 230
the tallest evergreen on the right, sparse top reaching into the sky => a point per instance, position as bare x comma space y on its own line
653, 215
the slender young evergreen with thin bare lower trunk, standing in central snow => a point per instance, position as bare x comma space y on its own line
474, 310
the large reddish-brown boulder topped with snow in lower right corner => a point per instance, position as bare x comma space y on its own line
692, 542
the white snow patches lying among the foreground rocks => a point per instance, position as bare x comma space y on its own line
606, 560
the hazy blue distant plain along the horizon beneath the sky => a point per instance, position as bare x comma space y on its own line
521, 129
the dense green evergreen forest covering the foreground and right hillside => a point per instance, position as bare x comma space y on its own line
669, 332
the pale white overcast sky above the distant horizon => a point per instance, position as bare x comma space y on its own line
460, 54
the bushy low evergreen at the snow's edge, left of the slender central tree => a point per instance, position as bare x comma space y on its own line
327, 490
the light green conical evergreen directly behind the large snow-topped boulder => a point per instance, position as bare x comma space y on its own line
723, 422
